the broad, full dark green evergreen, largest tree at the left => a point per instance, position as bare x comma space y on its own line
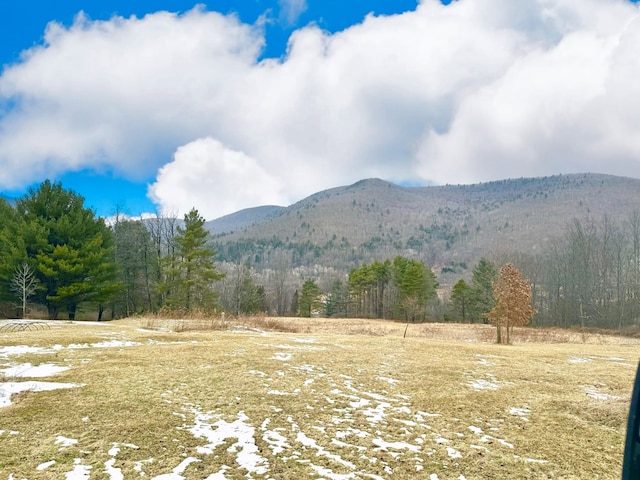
70, 249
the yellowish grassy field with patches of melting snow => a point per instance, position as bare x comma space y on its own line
333, 399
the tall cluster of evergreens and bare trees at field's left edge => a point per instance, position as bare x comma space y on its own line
55, 253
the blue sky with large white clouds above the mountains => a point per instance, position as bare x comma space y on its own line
169, 105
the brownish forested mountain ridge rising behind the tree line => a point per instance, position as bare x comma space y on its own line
449, 227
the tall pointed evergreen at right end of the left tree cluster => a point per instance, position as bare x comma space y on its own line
191, 272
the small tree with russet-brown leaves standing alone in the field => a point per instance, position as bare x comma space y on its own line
512, 294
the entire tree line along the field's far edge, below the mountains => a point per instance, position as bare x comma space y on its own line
58, 256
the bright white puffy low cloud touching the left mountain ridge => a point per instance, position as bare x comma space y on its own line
215, 180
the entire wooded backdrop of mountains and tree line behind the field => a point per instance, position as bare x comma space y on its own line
371, 249
